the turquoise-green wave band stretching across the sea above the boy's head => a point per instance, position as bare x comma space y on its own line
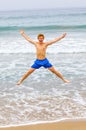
45, 27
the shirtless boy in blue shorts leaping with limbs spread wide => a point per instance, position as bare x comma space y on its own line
41, 60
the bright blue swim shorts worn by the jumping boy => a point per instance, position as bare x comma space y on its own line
41, 63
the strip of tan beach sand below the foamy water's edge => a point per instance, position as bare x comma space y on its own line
63, 125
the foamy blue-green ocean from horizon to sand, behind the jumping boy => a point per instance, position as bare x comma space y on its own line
42, 97
